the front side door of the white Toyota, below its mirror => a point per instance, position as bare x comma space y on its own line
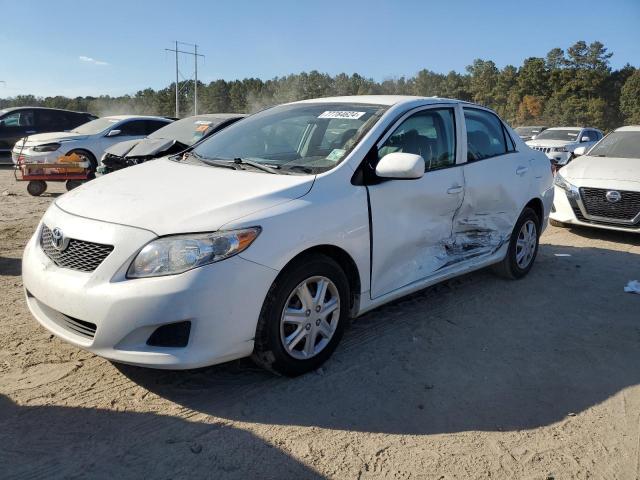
411, 220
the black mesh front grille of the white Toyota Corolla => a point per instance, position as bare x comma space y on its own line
78, 254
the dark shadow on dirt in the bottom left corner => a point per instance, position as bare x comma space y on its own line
132, 445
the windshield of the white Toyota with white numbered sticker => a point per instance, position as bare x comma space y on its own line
314, 136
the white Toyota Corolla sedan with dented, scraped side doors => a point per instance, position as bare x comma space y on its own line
268, 237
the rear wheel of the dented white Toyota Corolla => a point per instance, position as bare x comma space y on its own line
514, 265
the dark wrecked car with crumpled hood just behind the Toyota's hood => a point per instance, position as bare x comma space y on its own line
171, 139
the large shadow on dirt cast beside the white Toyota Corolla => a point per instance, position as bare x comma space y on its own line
478, 353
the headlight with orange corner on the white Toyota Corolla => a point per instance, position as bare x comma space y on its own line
179, 253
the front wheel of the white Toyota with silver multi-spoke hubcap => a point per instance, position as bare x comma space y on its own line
279, 339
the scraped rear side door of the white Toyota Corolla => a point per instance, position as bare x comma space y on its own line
498, 183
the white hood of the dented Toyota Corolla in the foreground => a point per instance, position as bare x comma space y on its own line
168, 197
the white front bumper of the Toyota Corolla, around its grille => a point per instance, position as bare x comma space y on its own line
222, 300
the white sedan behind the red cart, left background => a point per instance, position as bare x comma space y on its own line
89, 140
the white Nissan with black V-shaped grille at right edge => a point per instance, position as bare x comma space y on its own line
602, 188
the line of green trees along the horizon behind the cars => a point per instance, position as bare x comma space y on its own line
576, 86
